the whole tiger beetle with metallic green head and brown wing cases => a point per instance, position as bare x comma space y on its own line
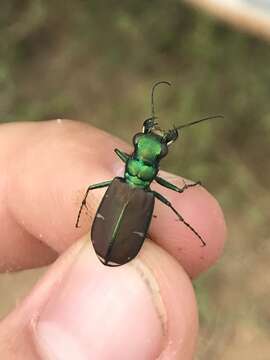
124, 214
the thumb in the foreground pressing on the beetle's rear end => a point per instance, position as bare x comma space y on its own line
82, 309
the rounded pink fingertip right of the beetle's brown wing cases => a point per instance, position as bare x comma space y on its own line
203, 213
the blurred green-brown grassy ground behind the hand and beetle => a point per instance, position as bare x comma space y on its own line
97, 60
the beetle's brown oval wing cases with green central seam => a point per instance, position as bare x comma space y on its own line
121, 222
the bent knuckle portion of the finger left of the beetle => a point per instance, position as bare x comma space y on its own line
44, 175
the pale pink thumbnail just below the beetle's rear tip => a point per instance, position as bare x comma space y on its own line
98, 312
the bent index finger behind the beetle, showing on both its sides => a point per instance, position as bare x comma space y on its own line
47, 184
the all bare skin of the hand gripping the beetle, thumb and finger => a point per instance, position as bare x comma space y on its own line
80, 308
